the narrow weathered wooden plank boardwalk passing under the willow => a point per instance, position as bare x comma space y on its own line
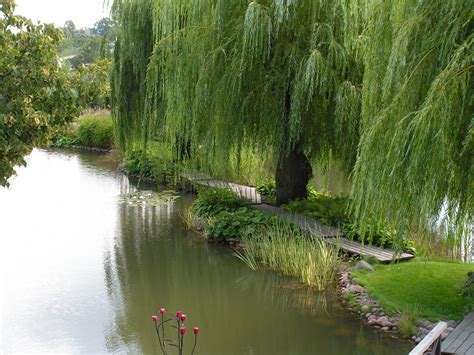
308, 224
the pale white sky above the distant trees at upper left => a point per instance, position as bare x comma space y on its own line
84, 13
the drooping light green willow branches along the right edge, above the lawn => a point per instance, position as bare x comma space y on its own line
415, 159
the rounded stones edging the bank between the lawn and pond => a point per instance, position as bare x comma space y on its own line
373, 313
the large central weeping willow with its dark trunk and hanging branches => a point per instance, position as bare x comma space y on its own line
212, 77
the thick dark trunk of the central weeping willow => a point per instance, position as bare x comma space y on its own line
292, 176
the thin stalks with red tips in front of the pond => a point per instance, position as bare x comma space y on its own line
180, 318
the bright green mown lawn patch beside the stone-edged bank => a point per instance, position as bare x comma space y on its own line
427, 289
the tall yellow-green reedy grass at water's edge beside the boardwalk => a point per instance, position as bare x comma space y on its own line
283, 247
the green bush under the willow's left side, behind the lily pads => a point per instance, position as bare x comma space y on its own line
154, 164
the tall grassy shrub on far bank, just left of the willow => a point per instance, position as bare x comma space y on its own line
96, 131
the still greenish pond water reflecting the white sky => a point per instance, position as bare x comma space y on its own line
82, 272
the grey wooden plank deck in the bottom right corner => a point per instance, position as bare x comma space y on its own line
461, 340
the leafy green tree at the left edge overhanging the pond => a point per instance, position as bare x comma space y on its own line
35, 94
